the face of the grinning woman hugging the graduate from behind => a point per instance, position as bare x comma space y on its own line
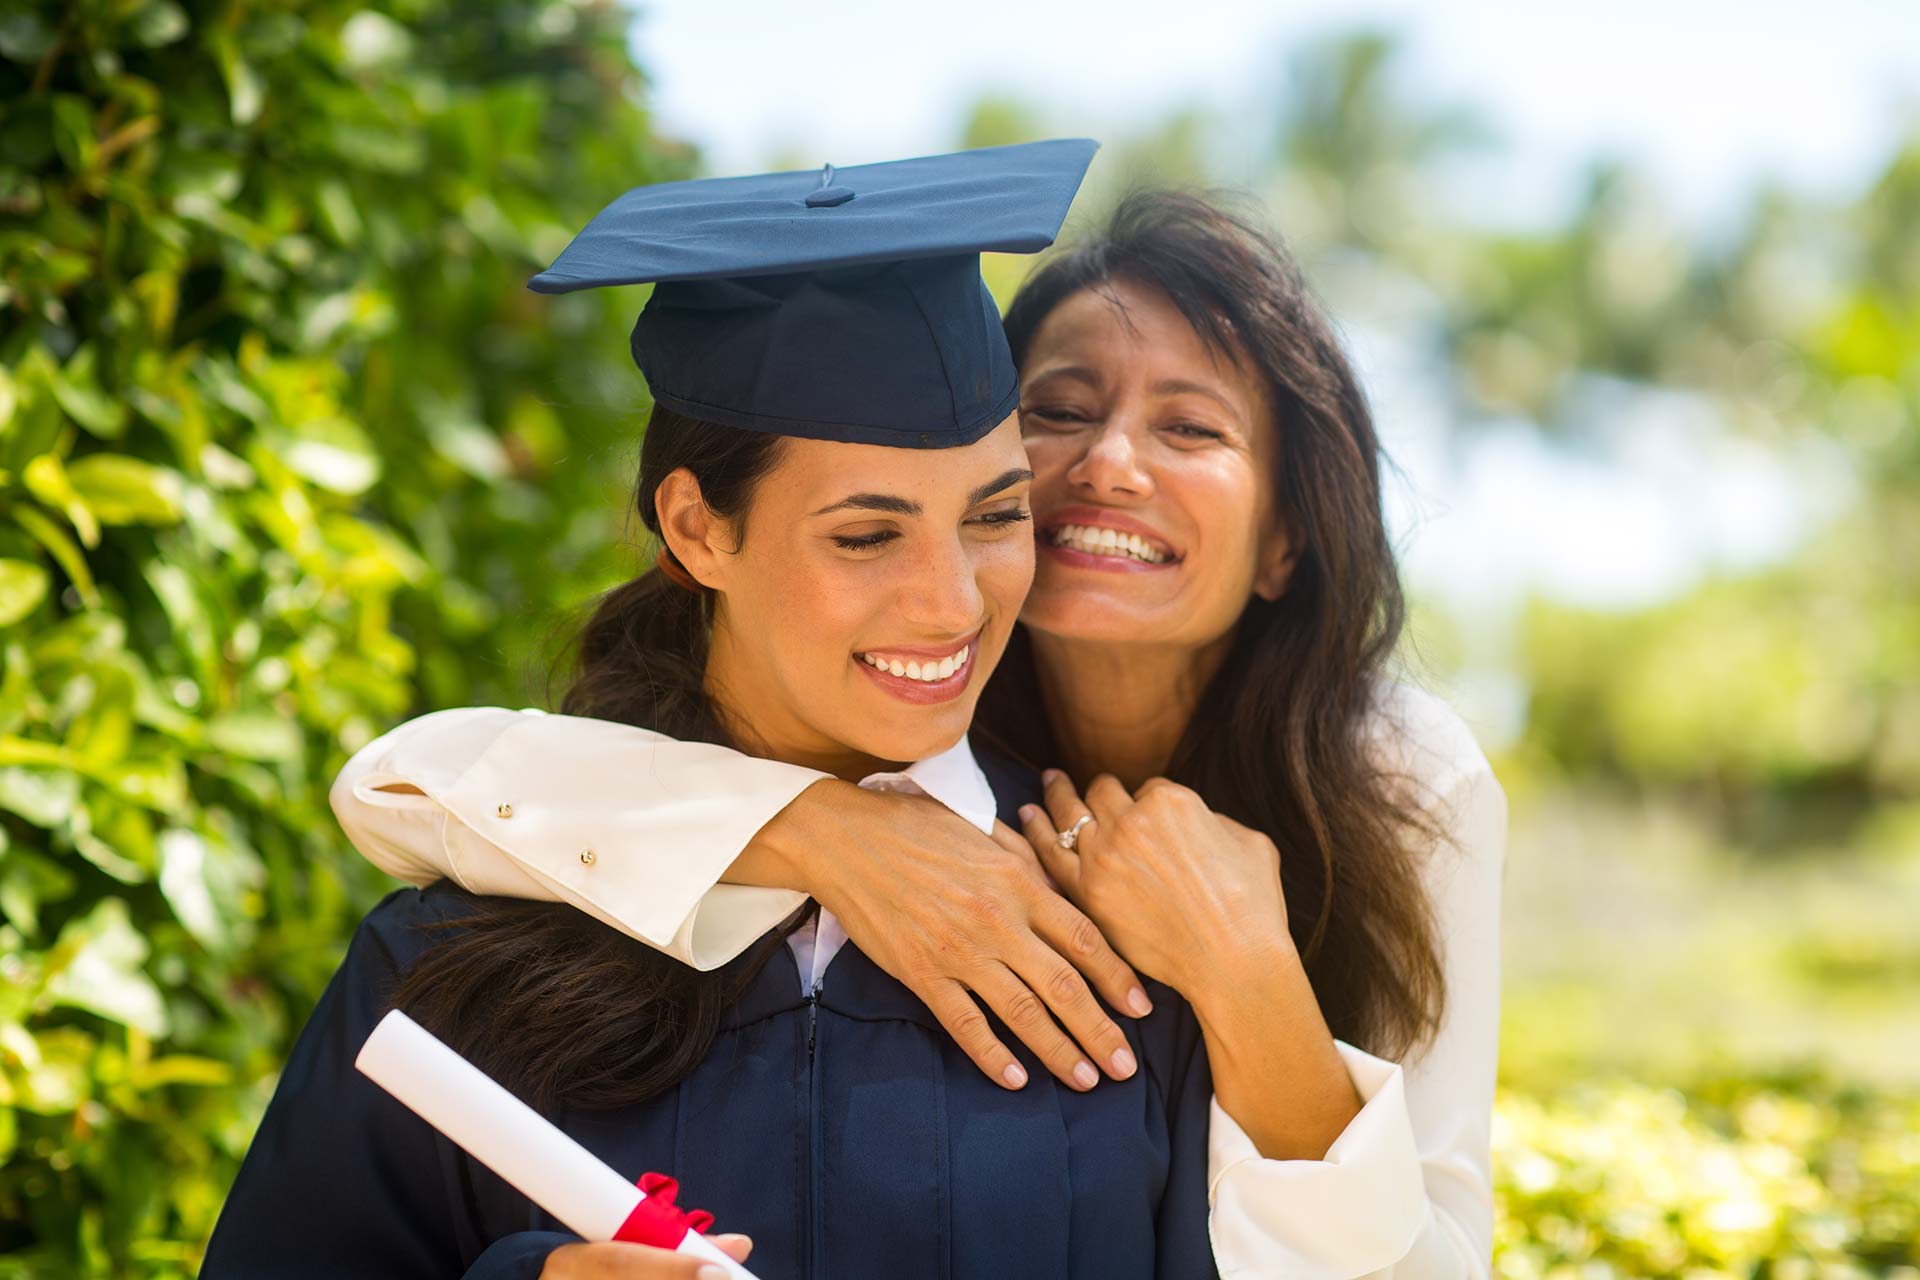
1153, 462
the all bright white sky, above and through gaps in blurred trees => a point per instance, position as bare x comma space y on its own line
1710, 97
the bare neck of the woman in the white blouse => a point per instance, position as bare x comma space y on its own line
1120, 709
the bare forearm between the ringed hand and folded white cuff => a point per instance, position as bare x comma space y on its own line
1276, 1068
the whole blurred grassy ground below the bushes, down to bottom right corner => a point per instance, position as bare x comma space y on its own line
1710, 1058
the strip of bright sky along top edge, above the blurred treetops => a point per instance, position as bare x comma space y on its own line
1710, 93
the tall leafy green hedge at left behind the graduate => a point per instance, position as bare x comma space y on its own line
287, 454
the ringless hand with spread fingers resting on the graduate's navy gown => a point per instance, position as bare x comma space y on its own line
957, 916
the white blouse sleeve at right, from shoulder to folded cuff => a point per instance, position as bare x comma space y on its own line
1406, 1191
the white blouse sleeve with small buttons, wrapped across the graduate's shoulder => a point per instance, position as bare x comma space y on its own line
625, 824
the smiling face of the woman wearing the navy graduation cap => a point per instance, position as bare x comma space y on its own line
867, 598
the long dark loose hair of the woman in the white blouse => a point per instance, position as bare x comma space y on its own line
1280, 738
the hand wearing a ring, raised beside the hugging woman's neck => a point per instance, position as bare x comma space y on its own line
1180, 889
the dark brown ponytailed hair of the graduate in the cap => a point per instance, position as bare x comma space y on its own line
546, 999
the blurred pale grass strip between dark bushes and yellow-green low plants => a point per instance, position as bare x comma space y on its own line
1637, 943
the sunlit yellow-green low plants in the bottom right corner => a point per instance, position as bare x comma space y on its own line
1794, 1177
